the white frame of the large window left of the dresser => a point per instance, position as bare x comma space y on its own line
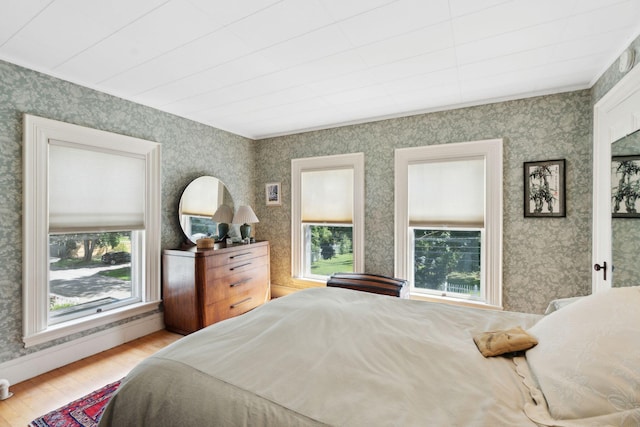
37, 132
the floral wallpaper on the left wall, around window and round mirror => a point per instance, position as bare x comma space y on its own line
189, 150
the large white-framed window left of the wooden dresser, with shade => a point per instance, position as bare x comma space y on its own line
91, 228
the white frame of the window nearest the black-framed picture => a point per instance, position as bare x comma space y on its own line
492, 151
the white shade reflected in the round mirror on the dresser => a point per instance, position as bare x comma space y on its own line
202, 197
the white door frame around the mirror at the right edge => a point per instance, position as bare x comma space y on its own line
615, 116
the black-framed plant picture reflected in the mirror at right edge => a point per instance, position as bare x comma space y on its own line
625, 186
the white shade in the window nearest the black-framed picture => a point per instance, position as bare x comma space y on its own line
447, 193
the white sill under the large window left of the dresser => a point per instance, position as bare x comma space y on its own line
74, 326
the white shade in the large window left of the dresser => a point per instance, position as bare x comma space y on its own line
95, 190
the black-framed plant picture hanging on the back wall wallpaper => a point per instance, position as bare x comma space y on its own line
544, 189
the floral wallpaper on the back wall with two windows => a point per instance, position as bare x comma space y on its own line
544, 258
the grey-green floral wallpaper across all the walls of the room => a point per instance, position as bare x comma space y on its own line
544, 258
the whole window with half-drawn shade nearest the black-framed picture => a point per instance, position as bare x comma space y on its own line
449, 220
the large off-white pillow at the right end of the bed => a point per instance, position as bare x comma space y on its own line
587, 361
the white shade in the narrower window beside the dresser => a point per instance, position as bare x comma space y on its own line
327, 196
